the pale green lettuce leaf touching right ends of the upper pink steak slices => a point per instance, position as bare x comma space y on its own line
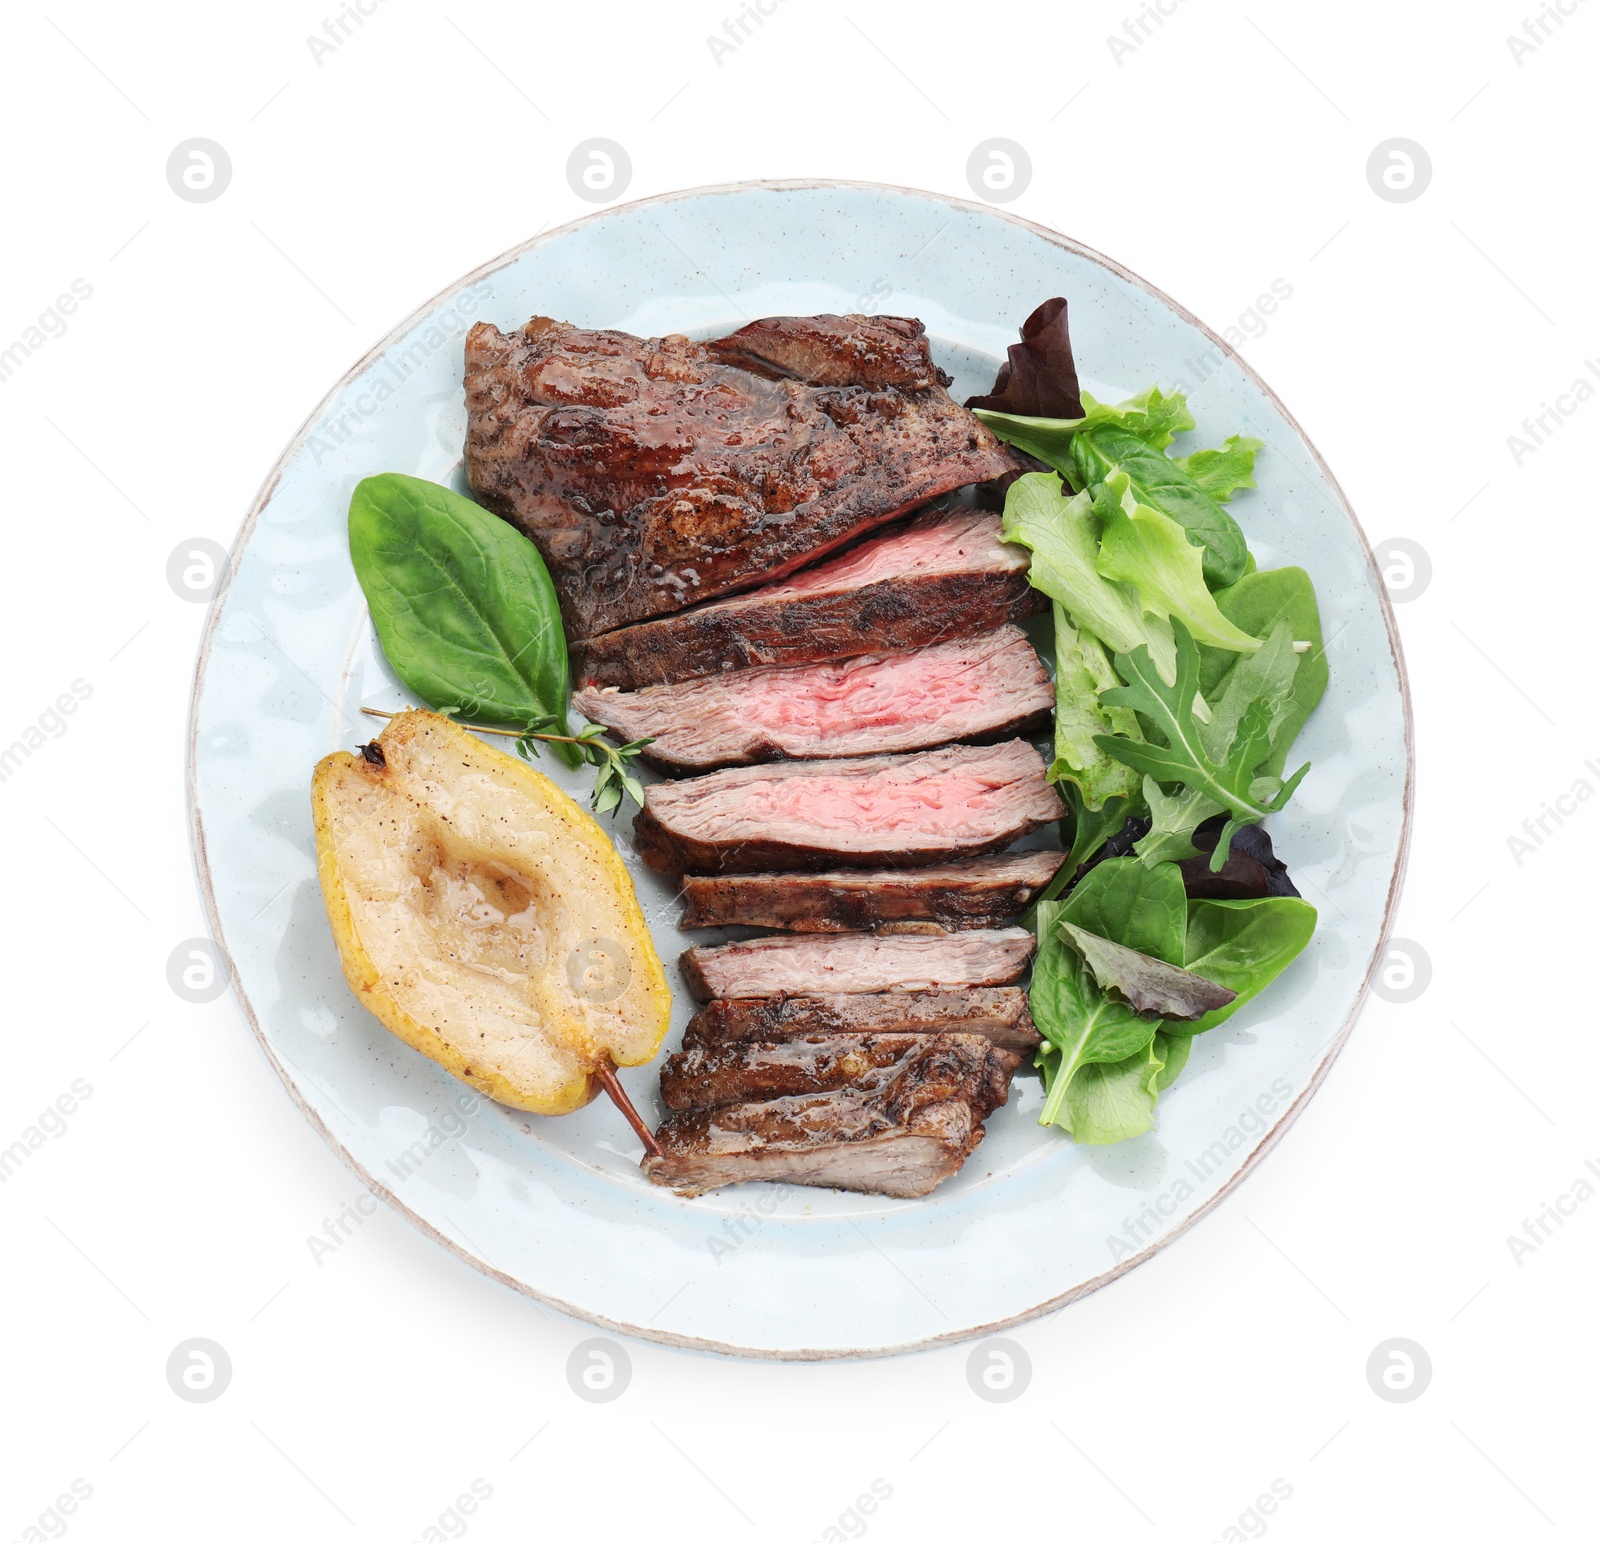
1065, 539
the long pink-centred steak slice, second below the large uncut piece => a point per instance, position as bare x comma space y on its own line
986, 687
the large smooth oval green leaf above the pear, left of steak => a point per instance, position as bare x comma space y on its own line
463, 603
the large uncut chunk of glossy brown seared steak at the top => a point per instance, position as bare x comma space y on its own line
655, 471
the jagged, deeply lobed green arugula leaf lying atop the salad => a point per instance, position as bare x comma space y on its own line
1230, 780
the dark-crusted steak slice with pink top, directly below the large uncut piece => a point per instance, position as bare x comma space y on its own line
945, 574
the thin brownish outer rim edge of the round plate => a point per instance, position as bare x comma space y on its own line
198, 838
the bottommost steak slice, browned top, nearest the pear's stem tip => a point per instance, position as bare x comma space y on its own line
902, 1139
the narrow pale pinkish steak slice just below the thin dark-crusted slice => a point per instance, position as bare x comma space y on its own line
855, 963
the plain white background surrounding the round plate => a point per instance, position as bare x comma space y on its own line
1226, 151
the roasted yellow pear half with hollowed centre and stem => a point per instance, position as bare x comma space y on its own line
484, 918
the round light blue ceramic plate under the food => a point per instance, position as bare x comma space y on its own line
558, 1209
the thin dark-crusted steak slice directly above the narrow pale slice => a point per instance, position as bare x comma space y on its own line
975, 894
